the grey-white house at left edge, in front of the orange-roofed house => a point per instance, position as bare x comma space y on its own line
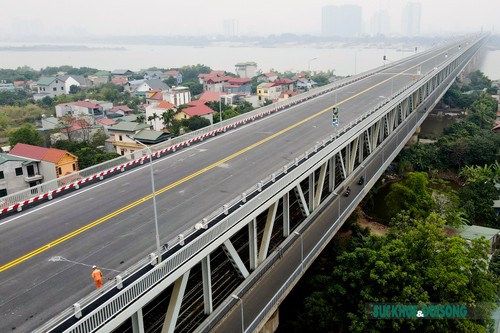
18, 173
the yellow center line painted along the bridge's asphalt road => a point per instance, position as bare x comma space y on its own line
183, 180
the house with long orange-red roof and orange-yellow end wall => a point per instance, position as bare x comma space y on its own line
54, 163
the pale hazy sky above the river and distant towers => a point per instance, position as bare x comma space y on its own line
202, 17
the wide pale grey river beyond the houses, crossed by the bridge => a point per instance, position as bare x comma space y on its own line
344, 61
